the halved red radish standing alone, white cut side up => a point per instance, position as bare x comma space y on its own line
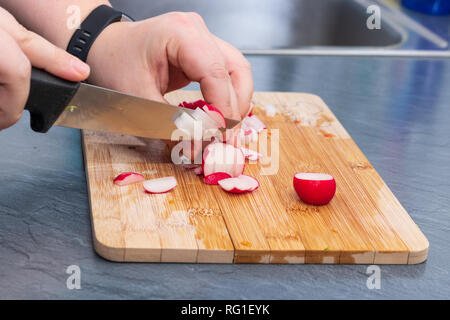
315, 188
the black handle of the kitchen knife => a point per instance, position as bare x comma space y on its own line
49, 96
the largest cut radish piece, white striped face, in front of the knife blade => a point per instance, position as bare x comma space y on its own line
222, 157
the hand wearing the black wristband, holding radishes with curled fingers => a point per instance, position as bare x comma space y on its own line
158, 55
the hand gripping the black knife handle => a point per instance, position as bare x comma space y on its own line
20, 49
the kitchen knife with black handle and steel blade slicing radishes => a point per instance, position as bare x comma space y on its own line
54, 101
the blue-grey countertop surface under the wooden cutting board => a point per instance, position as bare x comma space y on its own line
396, 110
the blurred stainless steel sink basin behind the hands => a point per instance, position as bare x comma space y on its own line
287, 26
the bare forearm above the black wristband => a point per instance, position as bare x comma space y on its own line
49, 18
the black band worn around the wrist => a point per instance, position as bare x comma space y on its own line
90, 29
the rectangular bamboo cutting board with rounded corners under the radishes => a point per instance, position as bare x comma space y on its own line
198, 223
